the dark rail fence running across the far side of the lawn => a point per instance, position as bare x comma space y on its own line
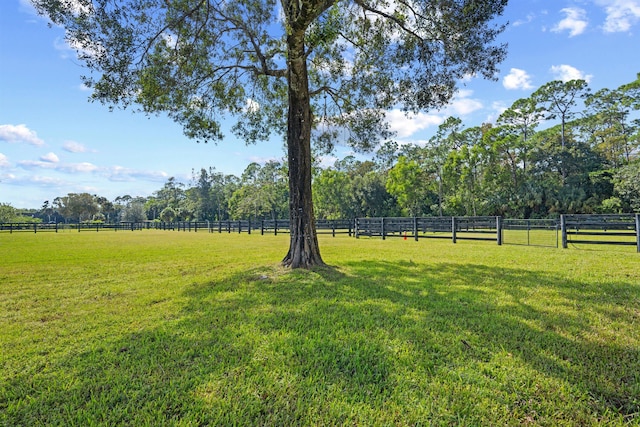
623, 229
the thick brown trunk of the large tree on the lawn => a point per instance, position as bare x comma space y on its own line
304, 251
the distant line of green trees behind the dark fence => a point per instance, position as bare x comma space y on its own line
586, 161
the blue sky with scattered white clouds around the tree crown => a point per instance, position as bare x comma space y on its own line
53, 141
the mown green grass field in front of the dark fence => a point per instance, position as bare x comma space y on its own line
168, 328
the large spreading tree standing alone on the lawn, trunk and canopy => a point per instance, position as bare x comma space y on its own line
274, 64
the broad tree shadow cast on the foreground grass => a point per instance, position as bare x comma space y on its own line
371, 343
